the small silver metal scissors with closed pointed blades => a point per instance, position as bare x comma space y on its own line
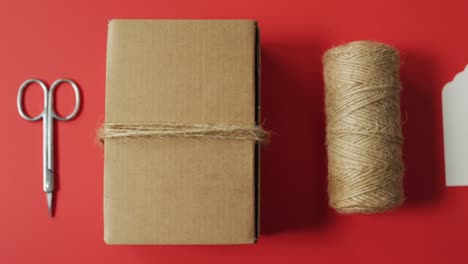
48, 115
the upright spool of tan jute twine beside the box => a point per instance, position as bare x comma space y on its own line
364, 139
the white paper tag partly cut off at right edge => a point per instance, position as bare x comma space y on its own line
455, 115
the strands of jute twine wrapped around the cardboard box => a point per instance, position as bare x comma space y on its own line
174, 130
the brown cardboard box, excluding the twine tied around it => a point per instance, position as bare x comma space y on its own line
181, 191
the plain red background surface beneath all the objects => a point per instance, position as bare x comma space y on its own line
52, 39
